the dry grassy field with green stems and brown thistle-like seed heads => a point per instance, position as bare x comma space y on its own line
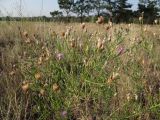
57, 71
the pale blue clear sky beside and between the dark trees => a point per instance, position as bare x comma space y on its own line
34, 7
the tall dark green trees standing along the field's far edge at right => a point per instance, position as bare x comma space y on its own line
116, 10
